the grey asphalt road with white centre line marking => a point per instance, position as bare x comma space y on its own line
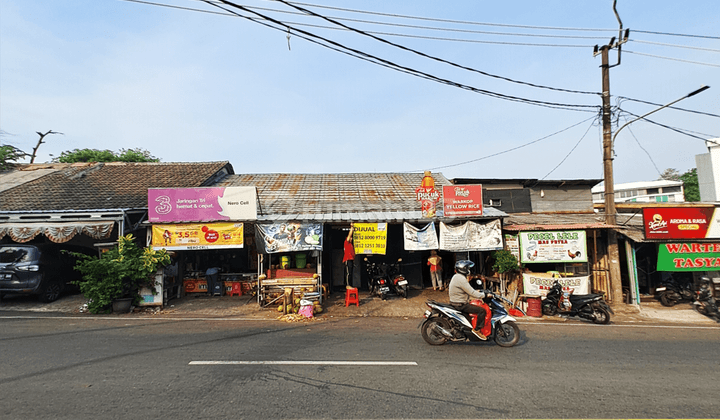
121, 368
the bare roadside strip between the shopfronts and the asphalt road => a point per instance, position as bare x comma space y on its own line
202, 306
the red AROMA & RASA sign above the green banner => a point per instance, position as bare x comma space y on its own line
681, 222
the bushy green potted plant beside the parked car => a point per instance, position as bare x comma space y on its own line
118, 273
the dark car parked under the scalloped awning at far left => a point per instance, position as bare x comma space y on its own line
41, 269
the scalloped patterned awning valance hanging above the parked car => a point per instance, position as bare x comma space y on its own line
59, 232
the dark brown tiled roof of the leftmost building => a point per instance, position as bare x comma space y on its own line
97, 186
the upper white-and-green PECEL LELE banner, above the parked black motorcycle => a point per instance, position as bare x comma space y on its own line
553, 246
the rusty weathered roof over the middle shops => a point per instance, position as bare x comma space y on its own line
357, 197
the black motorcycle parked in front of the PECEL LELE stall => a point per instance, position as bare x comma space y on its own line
591, 306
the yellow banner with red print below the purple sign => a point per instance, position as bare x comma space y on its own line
197, 236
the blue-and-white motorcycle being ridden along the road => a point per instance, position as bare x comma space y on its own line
443, 323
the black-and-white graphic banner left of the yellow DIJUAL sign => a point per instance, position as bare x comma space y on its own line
288, 237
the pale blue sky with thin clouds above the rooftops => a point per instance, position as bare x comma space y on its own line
471, 89
